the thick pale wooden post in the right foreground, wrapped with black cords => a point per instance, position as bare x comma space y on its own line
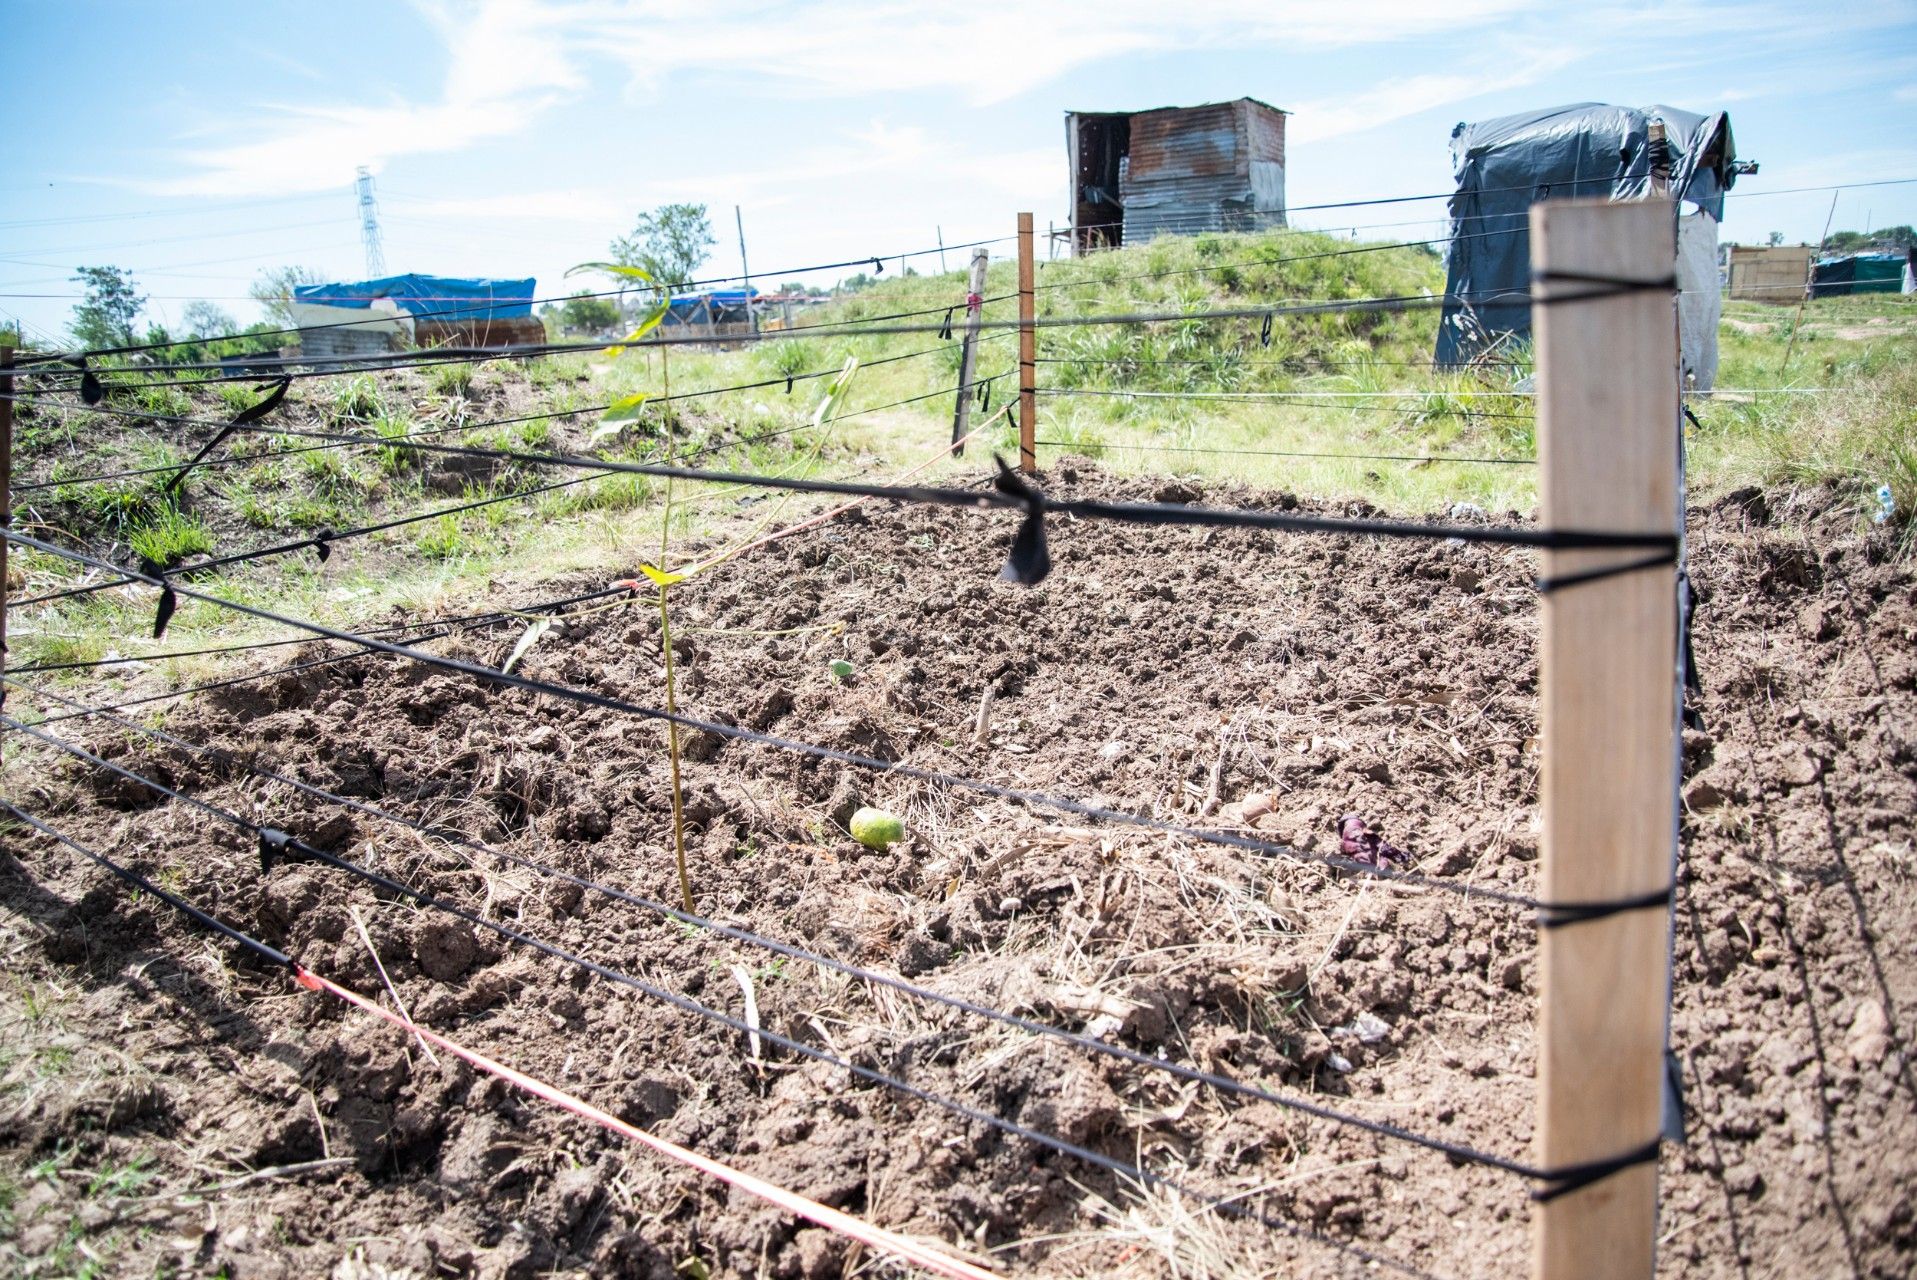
1607, 451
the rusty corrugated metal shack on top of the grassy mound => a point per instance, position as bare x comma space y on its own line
1174, 171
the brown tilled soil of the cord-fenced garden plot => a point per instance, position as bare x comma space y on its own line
1237, 681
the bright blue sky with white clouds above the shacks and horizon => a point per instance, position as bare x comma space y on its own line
200, 143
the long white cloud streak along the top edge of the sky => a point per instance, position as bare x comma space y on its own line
513, 60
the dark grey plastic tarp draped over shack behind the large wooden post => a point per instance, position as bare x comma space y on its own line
1584, 150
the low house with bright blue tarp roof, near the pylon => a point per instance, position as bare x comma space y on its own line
373, 317
